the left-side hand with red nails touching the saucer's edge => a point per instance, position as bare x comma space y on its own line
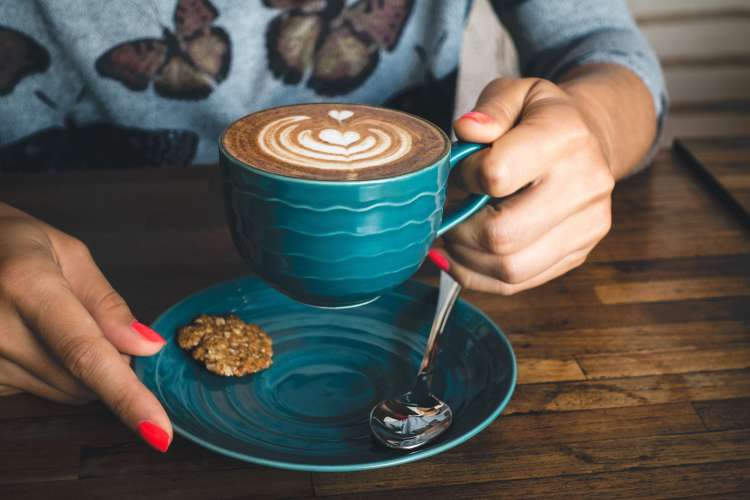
65, 334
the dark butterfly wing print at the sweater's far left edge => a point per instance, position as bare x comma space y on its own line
20, 56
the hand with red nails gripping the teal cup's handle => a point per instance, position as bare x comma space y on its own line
550, 167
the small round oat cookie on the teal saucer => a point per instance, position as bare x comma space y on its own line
227, 345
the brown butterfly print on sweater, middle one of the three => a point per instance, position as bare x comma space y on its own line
186, 64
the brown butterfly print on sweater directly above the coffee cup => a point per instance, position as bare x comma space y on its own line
336, 47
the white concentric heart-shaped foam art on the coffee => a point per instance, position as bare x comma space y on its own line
347, 143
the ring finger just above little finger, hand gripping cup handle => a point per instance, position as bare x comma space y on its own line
580, 231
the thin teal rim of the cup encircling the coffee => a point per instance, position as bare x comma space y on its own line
256, 170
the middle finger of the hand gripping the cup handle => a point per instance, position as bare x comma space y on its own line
516, 222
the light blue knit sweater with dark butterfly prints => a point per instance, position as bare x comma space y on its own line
86, 83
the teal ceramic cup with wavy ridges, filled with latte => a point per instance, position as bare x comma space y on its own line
346, 236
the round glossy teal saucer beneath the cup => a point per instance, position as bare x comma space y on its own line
309, 411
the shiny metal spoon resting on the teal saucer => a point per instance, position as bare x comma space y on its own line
417, 417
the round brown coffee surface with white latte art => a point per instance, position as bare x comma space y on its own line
335, 142
